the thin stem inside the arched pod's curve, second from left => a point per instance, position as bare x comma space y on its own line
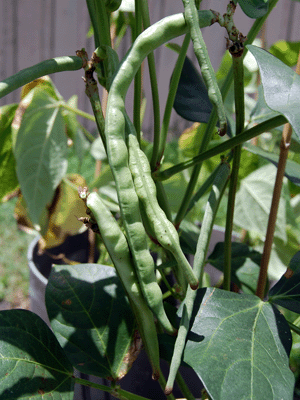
152, 73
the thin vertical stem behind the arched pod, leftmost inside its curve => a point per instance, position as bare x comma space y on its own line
138, 77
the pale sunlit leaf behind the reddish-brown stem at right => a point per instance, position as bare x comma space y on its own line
253, 202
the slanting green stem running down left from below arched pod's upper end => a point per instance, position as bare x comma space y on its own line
160, 139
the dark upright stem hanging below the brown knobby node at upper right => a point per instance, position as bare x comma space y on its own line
238, 73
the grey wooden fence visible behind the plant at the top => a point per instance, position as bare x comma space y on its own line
34, 30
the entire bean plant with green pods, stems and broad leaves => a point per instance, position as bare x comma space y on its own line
149, 287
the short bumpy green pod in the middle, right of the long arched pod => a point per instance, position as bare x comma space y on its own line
165, 232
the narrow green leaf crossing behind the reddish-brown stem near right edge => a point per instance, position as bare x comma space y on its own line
292, 169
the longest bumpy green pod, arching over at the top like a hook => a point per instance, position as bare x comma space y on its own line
151, 38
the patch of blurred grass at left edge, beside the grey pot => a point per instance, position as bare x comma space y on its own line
14, 272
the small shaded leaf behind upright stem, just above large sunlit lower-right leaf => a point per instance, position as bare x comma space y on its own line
244, 264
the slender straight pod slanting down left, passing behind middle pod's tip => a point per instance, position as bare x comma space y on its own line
201, 251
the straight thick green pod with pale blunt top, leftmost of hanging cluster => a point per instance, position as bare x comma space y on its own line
117, 247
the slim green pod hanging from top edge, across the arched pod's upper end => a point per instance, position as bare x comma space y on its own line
208, 73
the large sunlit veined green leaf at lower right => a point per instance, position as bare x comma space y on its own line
238, 346
